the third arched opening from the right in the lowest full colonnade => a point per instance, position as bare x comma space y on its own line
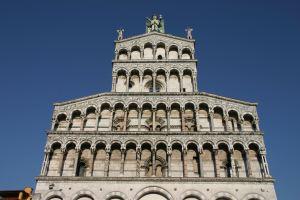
224, 160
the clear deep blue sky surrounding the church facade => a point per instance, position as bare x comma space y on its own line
52, 51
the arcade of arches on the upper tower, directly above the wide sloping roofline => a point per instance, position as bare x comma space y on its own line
158, 81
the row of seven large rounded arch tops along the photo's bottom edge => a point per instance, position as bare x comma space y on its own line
153, 192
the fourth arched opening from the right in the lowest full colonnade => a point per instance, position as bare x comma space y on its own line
208, 161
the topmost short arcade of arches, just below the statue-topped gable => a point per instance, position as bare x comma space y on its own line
158, 52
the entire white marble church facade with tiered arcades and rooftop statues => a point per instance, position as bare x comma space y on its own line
154, 136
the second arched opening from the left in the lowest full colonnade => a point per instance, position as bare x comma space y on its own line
68, 167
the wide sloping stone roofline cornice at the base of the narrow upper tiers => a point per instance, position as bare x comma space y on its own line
156, 93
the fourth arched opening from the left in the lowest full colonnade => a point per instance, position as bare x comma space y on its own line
99, 163
